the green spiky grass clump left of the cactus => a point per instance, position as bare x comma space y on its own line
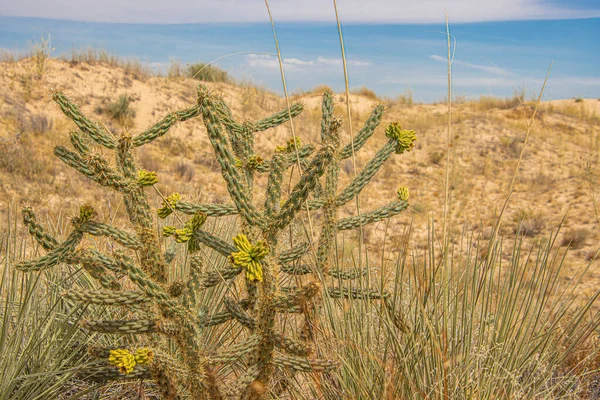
41, 344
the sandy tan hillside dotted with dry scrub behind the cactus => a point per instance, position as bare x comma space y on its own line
559, 176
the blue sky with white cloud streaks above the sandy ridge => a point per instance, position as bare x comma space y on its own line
392, 46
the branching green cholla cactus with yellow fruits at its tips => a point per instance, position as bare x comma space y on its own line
256, 250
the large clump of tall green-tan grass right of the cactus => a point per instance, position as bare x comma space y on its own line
496, 328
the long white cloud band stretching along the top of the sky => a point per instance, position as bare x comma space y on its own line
383, 11
